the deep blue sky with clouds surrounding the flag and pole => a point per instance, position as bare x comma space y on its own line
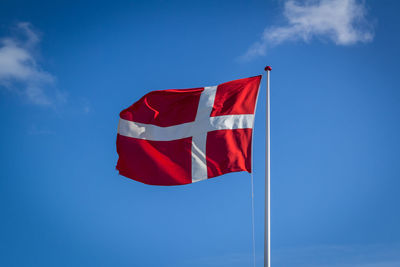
68, 68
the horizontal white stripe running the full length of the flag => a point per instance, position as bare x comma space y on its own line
157, 133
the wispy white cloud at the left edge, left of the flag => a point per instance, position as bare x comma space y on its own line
20, 71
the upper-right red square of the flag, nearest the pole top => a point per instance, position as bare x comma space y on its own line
236, 97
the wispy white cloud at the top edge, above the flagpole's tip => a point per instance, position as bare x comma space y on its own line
343, 22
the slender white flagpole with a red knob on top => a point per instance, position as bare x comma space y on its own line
267, 222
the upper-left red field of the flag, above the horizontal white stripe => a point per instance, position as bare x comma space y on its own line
165, 107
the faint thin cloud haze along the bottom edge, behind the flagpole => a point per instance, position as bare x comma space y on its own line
343, 255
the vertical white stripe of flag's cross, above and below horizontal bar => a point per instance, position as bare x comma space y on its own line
199, 141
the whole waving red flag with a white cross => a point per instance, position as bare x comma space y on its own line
175, 137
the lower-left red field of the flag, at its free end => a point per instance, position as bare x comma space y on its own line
155, 162
